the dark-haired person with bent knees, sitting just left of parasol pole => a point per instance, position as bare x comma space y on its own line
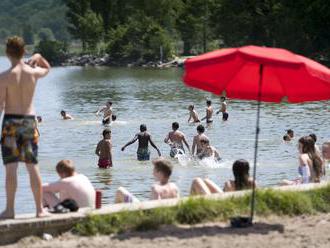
241, 181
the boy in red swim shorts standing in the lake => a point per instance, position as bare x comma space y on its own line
103, 150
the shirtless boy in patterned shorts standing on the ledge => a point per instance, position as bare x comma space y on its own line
19, 137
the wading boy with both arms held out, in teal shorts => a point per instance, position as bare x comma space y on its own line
144, 139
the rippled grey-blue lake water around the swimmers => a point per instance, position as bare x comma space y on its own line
157, 98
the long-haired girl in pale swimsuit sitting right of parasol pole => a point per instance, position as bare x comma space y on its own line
310, 164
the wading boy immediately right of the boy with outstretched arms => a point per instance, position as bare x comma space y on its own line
175, 139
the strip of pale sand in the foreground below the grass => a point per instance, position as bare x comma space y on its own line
302, 231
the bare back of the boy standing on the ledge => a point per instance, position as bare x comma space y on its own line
20, 83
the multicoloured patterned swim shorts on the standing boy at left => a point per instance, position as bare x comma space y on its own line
19, 139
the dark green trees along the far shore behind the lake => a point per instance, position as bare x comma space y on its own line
151, 29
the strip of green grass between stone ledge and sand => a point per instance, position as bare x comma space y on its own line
200, 210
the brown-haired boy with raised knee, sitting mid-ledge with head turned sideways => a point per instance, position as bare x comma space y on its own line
162, 190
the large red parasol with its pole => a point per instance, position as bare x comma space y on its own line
259, 73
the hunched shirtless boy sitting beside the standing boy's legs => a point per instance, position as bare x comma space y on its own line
70, 186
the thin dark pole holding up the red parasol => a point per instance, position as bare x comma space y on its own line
261, 68
